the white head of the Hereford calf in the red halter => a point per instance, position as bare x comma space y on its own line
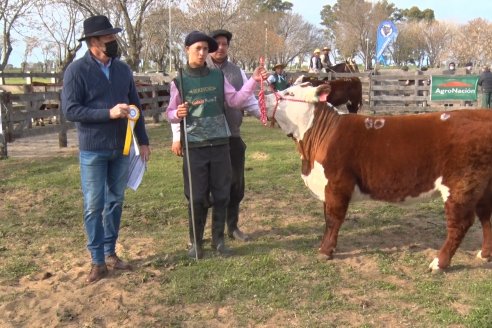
295, 110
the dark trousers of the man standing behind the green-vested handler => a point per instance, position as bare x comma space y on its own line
237, 154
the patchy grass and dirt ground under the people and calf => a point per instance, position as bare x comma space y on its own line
378, 277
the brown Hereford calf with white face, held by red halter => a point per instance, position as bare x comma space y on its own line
394, 159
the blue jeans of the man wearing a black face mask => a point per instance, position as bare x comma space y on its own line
104, 175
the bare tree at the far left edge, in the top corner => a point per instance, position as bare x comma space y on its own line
11, 14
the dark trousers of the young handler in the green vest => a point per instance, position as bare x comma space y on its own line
210, 173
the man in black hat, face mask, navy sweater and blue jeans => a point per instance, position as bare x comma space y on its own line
98, 90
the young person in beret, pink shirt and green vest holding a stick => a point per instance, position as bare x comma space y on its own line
198, 94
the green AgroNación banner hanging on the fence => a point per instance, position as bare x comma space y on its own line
451, 87
